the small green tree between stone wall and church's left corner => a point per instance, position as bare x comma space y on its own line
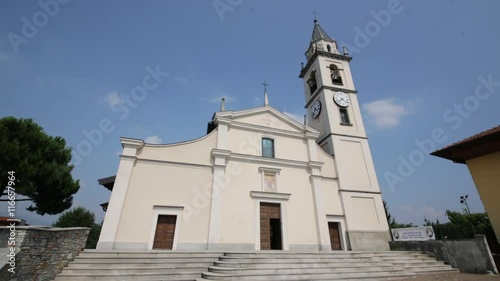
81, 217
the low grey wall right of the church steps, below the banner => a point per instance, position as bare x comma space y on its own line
468, 255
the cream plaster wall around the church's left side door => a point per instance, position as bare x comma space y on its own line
166, 185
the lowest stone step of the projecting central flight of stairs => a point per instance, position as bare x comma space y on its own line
386, 275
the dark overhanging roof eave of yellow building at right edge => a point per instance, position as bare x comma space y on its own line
478, 145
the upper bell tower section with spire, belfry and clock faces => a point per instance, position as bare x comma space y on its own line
331, 98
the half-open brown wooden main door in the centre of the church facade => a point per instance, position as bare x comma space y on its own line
270, 226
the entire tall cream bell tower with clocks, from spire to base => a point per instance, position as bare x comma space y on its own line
333, 109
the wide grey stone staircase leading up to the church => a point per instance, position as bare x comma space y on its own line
262, 265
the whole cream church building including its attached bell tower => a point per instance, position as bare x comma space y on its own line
259, 180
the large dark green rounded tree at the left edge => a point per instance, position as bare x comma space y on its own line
41, 166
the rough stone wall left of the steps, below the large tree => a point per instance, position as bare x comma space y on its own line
40, 252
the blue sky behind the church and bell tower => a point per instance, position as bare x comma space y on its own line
416, 73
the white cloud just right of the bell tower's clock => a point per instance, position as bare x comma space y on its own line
387, 113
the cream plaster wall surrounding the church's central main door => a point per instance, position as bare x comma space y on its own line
238, 214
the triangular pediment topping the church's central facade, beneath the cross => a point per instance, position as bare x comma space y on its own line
265, 116
